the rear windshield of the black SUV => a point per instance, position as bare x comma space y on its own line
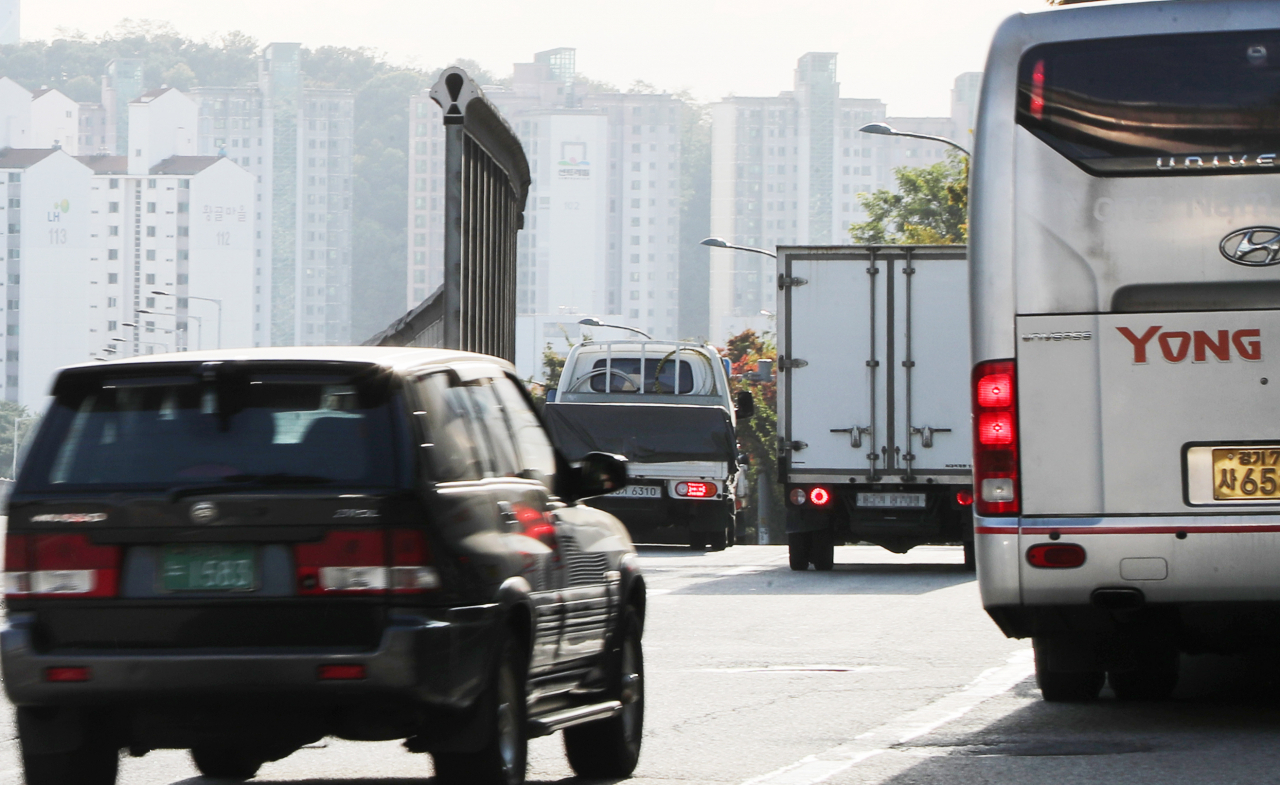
175, 433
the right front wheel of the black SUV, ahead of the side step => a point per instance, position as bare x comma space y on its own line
611, 749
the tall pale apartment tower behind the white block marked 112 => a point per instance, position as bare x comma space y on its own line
298, 144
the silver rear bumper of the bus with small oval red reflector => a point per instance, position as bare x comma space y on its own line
1172, 560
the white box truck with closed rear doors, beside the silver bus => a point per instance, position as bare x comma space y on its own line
874, 399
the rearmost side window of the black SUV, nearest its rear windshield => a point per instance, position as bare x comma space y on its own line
447, 419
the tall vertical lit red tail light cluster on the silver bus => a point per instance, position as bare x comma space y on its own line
995, 439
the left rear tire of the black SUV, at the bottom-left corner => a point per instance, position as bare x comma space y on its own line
47, 763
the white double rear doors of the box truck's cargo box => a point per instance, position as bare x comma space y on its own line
875, 362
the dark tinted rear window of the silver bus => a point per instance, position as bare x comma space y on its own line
1158, 106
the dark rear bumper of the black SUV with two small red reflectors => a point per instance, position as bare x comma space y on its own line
419, 659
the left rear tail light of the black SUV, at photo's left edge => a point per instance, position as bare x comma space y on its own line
61, 565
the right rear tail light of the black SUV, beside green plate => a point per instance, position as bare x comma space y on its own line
360, 563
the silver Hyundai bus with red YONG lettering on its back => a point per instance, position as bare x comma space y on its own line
1126, 305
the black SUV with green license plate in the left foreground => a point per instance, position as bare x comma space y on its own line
243, 553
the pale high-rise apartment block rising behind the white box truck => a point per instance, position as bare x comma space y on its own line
788, 171
